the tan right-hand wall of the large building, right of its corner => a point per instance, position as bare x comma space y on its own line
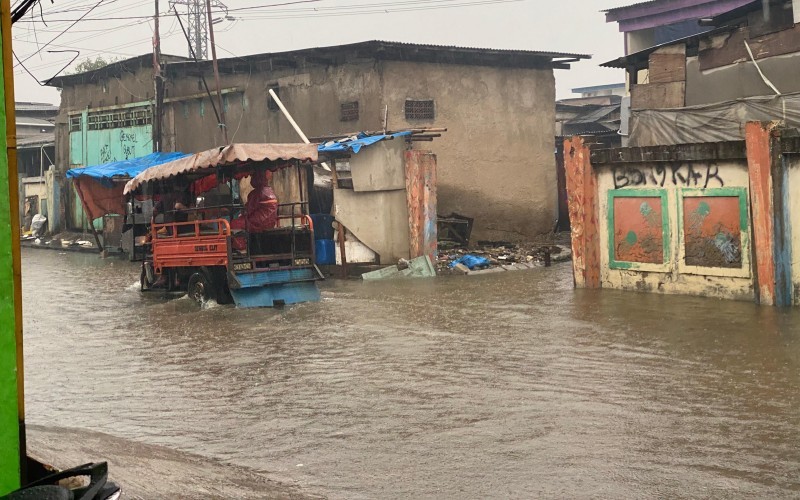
496, 161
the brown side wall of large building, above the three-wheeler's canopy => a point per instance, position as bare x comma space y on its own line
313, 94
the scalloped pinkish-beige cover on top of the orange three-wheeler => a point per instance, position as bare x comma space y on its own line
224, 156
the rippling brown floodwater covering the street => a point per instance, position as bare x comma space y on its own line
509, 385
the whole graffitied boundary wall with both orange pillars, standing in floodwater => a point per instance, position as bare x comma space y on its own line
712, 219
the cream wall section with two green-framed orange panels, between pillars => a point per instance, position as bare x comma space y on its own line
666, 237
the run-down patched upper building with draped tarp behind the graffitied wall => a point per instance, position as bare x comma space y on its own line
704, 87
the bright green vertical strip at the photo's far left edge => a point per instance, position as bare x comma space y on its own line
9, 410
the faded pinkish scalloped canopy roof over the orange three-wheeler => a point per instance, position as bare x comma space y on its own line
236, 159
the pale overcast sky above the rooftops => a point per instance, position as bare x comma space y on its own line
120, 28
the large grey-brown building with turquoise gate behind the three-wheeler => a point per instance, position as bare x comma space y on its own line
495, 163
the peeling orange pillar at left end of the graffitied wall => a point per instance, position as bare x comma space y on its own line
582, 200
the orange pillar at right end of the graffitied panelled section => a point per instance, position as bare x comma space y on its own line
763, 150
